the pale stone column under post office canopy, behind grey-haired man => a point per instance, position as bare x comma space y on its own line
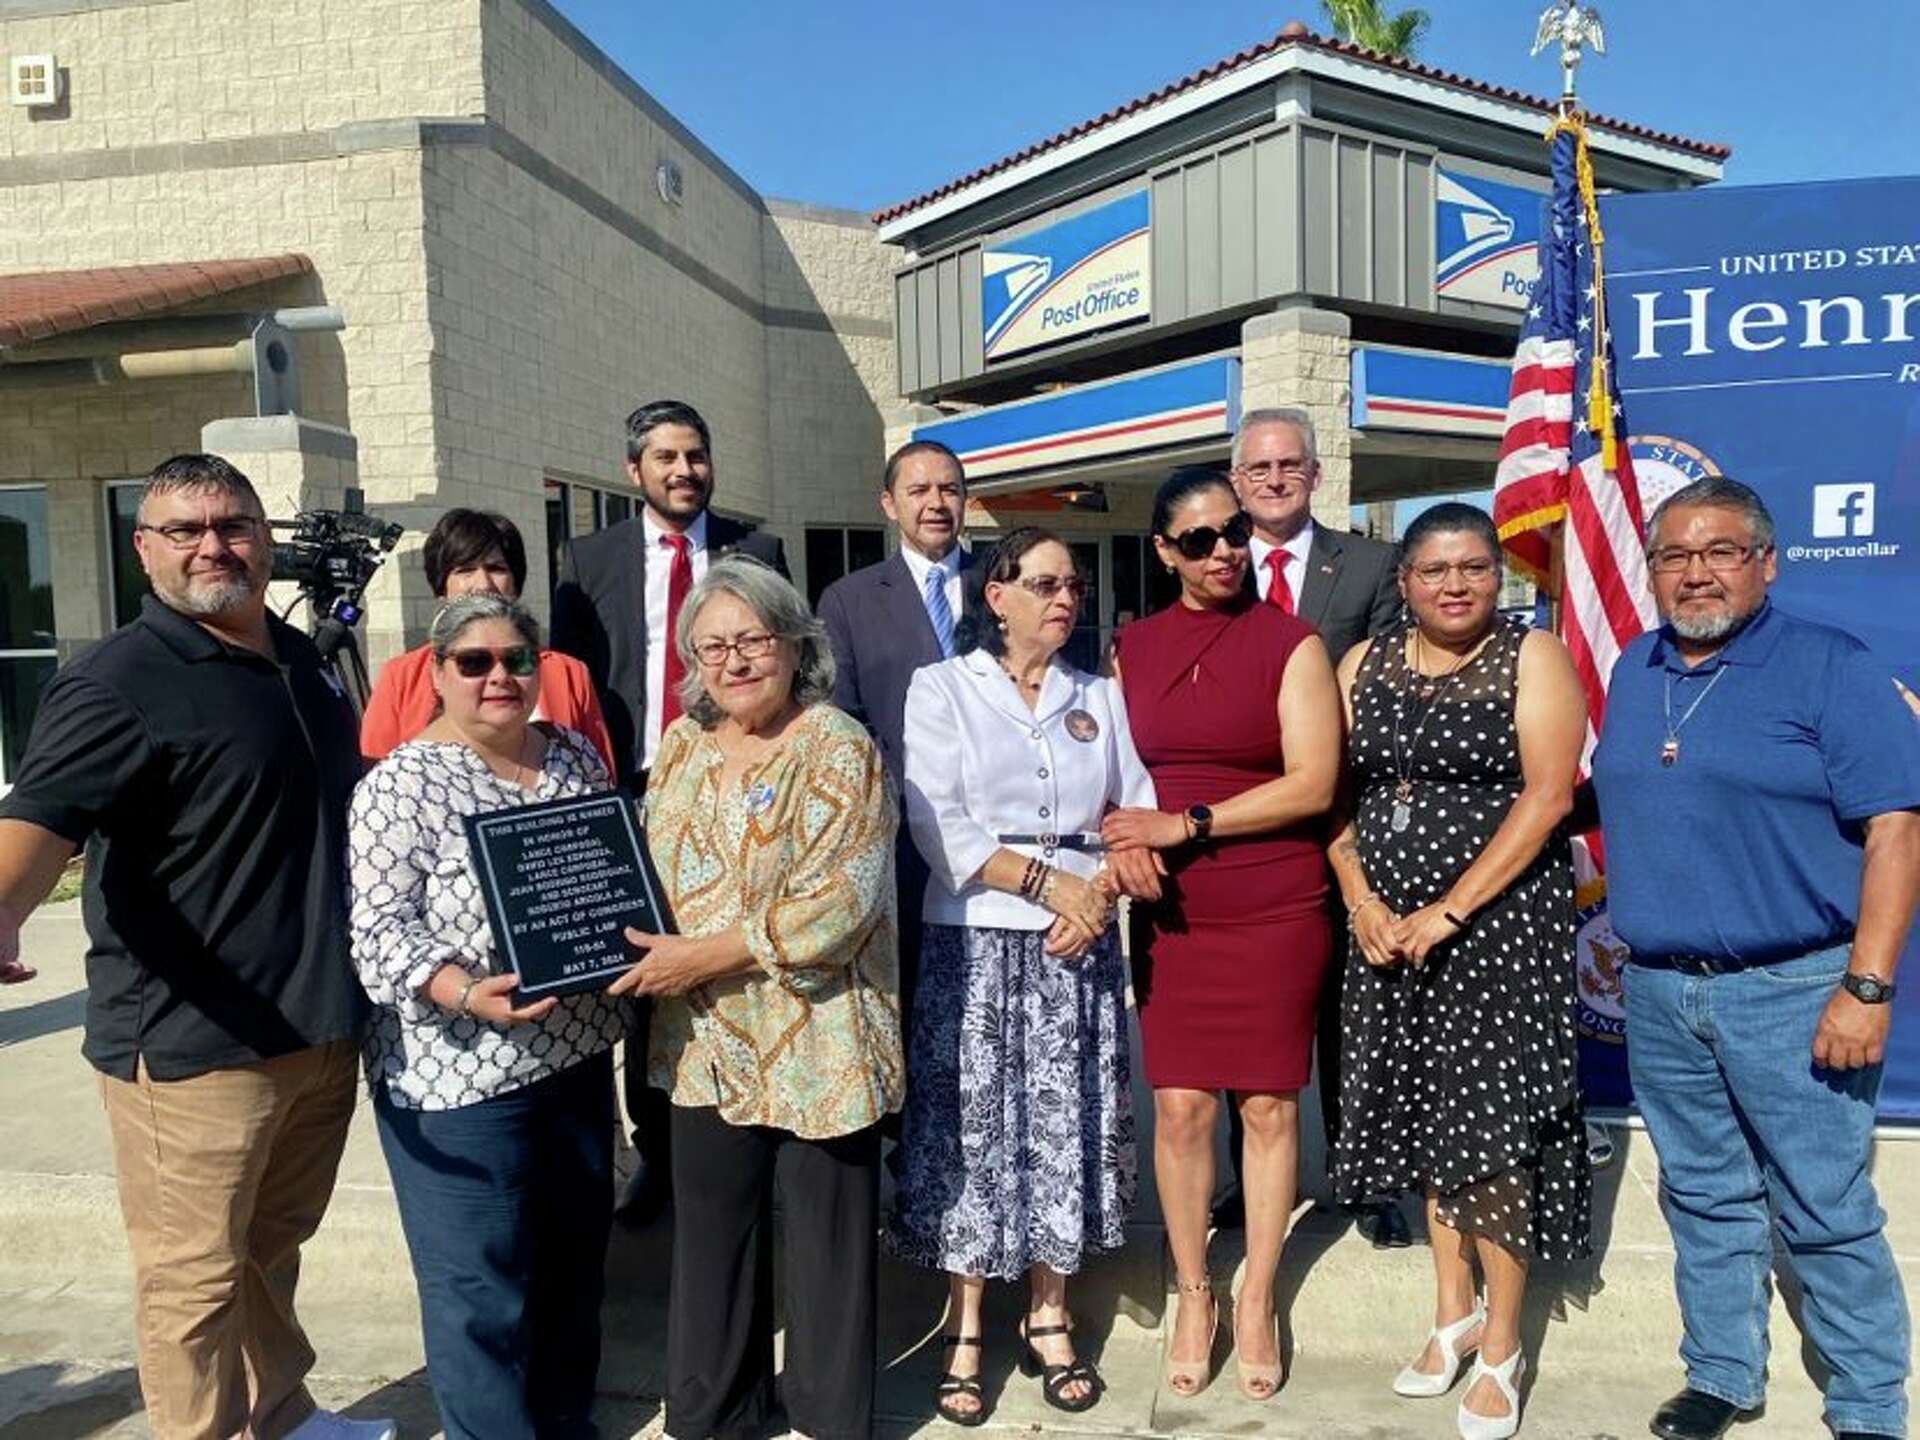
1301, 358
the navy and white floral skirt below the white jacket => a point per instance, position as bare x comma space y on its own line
1017, 1145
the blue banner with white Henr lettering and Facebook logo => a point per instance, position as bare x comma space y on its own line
1773, 335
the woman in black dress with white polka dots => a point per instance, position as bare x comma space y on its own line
1460, 1053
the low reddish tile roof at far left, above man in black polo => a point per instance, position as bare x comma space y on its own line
60, 302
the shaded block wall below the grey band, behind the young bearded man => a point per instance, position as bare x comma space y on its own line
550, 327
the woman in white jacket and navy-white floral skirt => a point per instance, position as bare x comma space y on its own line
1017, 1151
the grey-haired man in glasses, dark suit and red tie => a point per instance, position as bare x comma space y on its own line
1345, 587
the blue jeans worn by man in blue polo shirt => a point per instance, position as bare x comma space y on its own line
1750, 1134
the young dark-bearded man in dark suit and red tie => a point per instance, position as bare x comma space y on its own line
615, 604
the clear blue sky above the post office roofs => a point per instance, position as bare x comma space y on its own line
861, 105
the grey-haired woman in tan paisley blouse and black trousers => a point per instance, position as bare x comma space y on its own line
777, 1022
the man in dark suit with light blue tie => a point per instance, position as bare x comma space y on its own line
890, 619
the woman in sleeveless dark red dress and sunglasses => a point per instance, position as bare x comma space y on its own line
1237, 717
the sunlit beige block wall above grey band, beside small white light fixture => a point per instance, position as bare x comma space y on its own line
216, 70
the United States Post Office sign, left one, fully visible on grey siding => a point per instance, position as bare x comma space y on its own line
1082, 276
